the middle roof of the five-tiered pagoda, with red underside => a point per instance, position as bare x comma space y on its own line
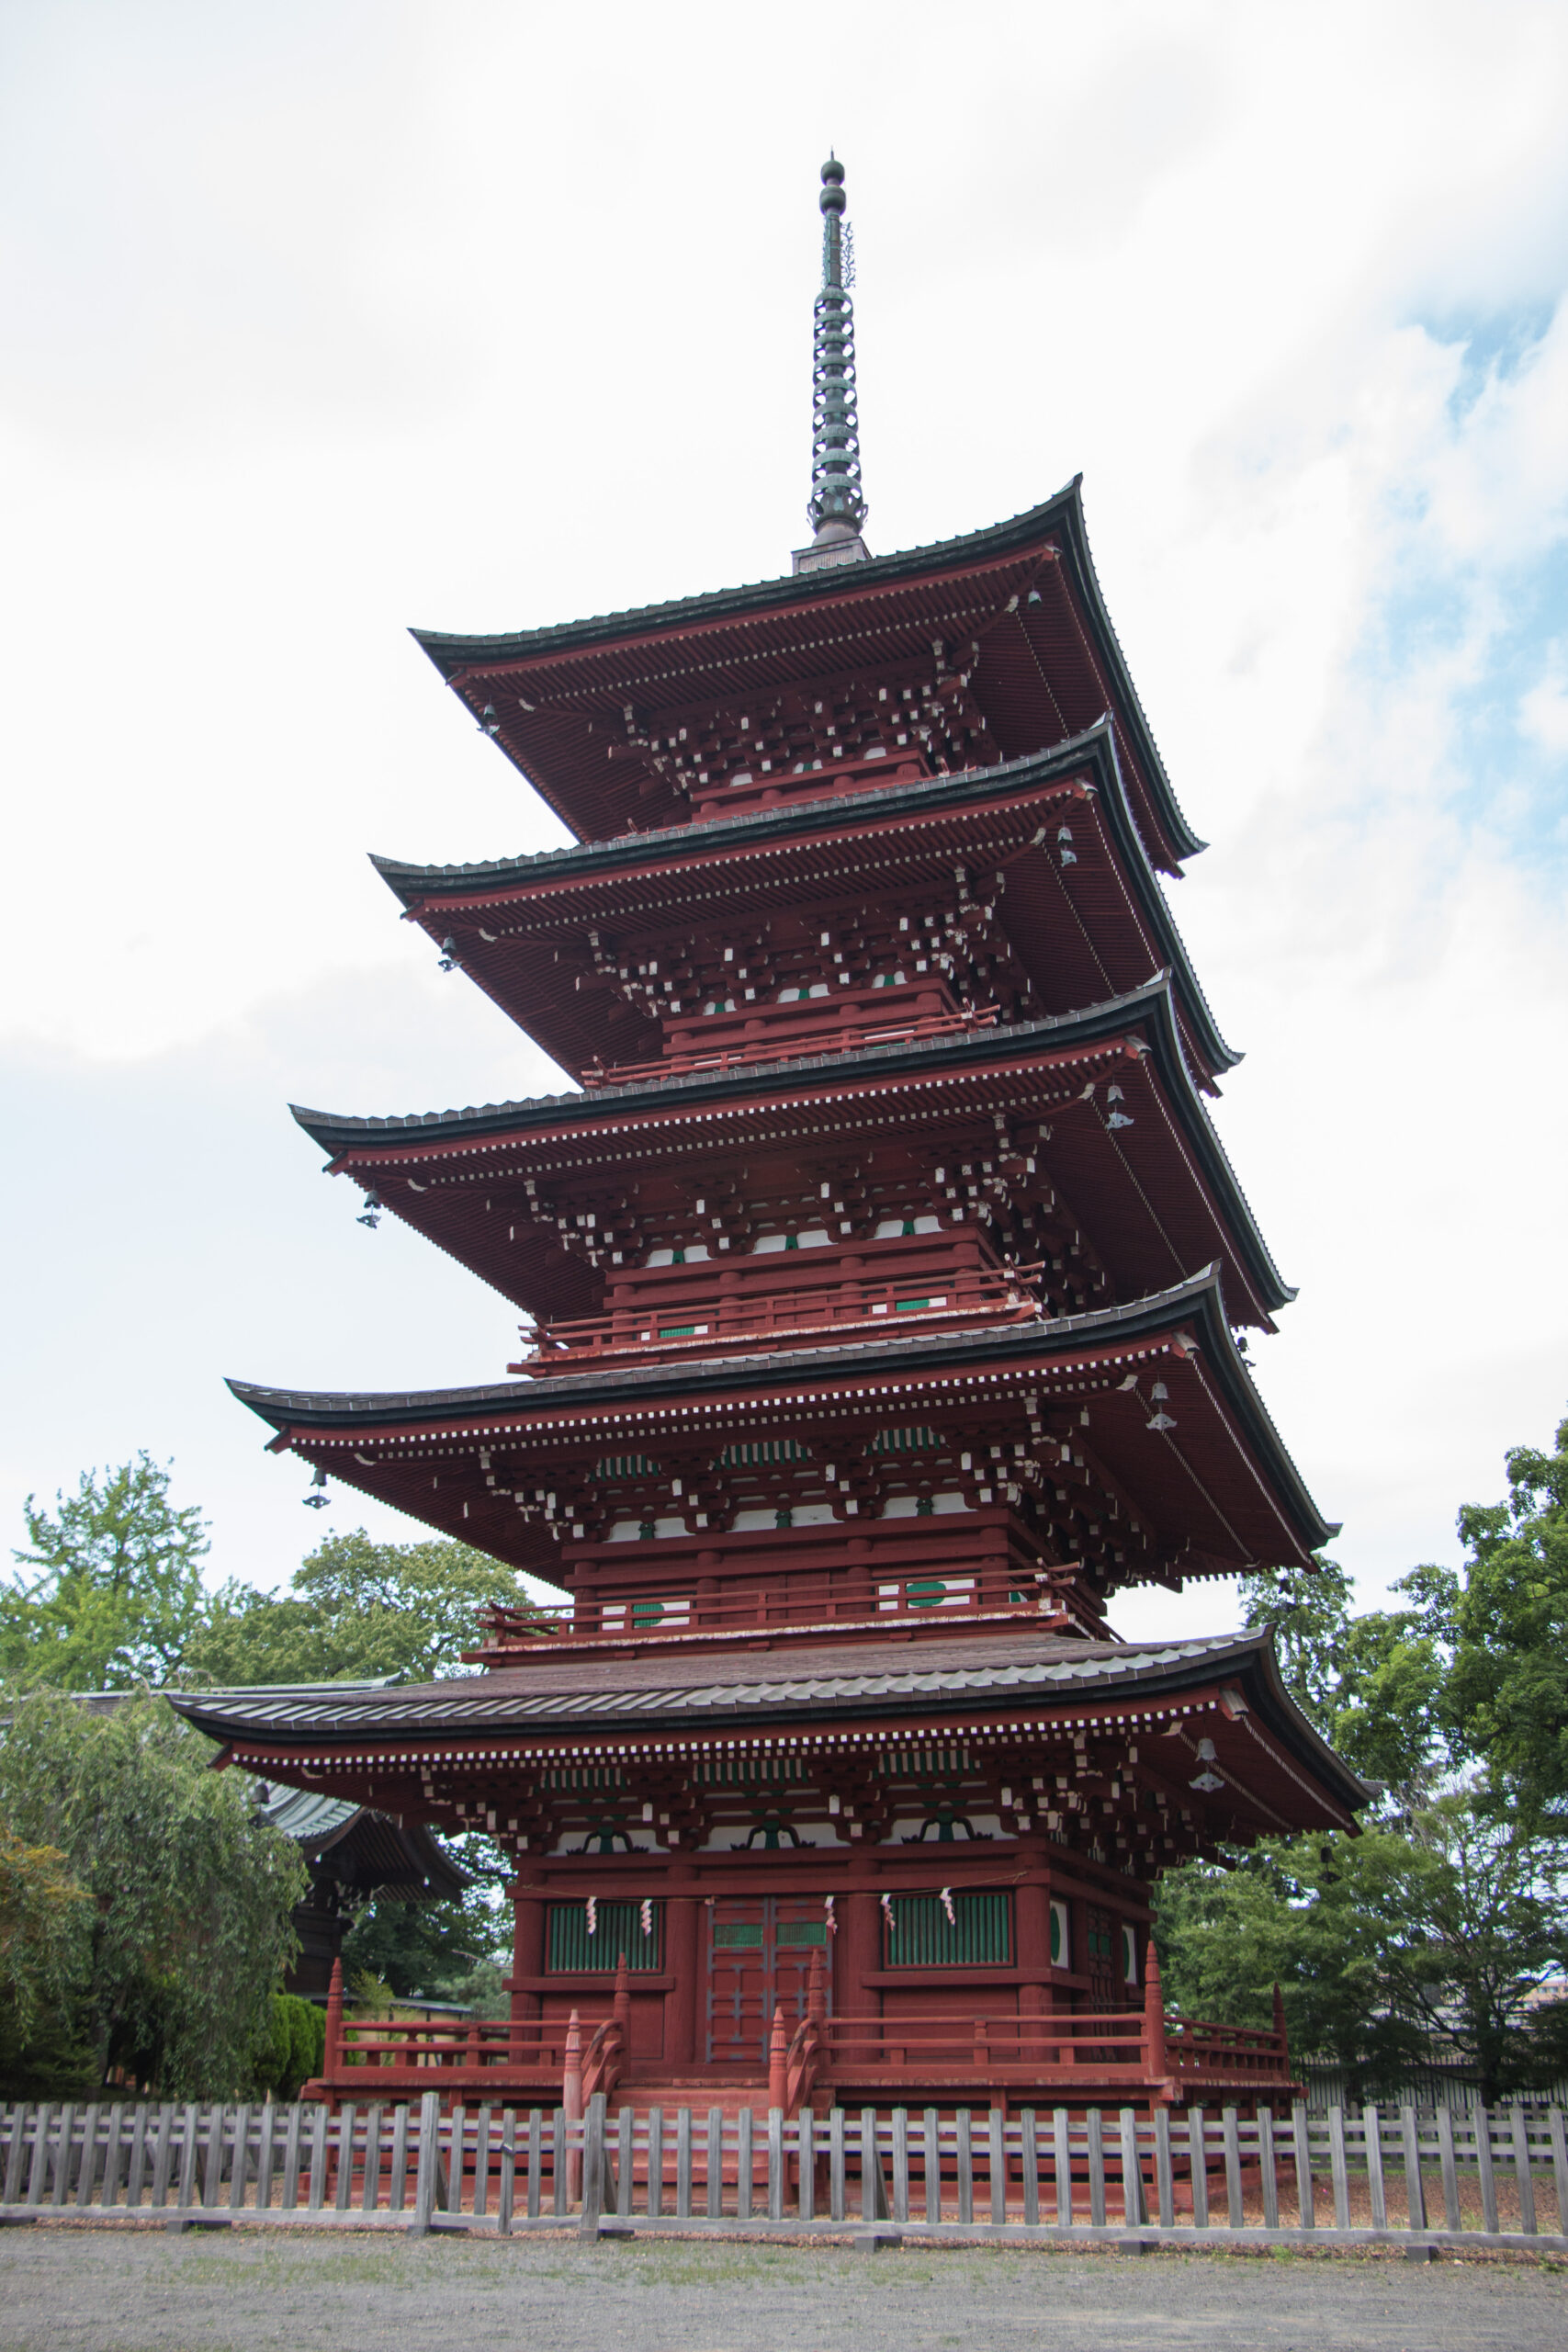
453, 1175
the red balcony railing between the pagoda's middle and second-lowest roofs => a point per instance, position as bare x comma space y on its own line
713, 1323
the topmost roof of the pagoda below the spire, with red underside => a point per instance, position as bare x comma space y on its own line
970, 653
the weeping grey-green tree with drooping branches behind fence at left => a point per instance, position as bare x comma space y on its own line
192, 1895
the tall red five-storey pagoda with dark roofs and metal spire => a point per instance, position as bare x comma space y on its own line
887, 1297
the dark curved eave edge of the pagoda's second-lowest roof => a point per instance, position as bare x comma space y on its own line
1195, 1304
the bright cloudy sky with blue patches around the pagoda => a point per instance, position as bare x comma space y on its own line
326, 321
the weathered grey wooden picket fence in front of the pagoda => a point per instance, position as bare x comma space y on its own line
1372, 2177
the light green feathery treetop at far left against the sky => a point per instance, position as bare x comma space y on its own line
116, 1596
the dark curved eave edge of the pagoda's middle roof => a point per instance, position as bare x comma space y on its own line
1148, 1010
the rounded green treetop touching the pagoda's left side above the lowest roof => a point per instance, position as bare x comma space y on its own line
359, 1610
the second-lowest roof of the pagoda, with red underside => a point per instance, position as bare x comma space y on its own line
431, 1452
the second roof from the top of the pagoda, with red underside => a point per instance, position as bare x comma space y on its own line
523, 928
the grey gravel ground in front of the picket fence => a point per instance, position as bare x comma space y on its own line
147, 2292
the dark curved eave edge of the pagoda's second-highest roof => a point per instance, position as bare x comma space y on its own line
420, 886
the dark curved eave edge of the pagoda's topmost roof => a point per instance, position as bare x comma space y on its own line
457, 655
